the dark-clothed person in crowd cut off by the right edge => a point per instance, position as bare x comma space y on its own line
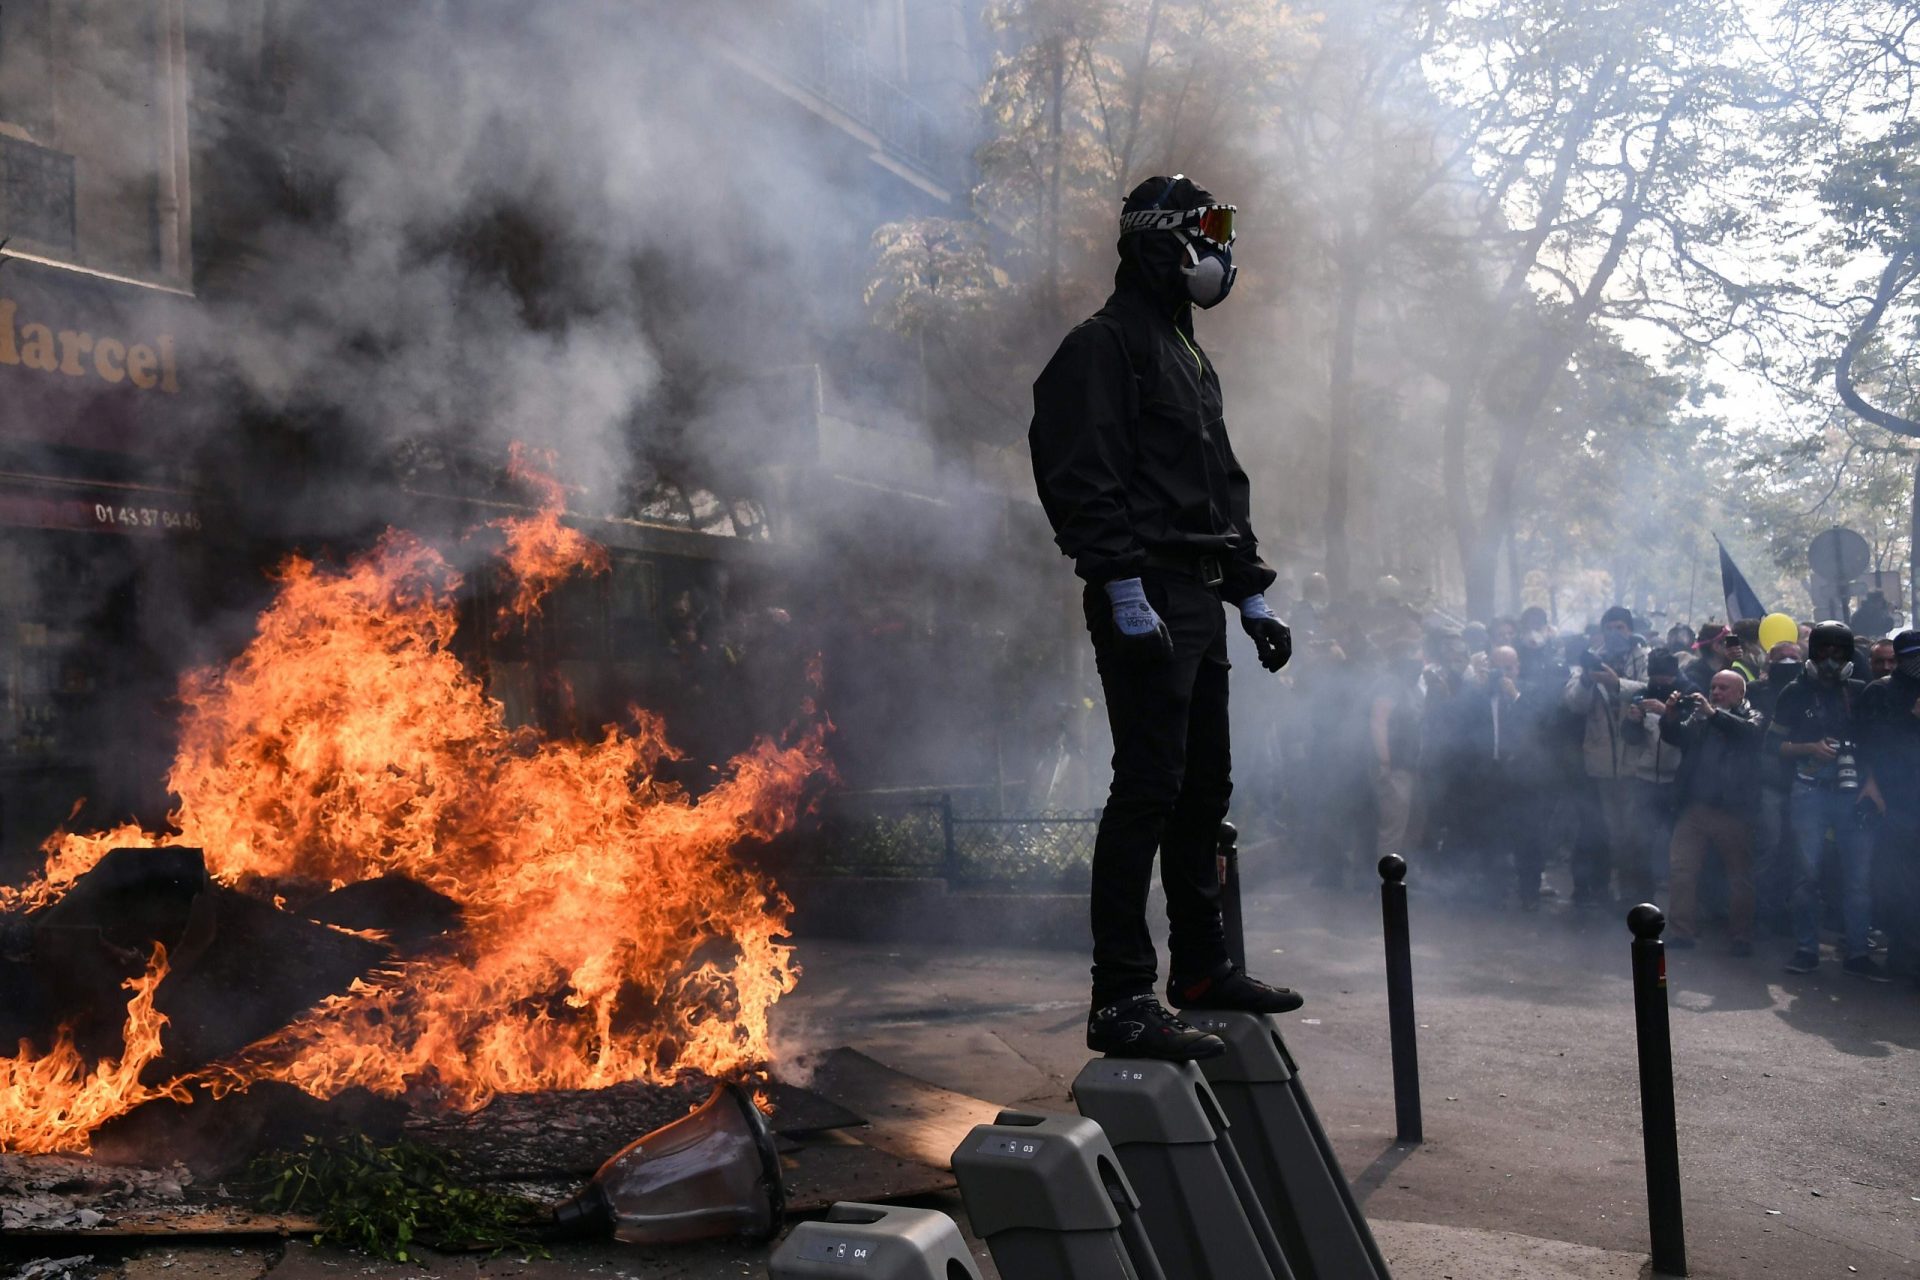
1890, 715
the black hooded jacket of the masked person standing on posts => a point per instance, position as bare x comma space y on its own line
1130, 446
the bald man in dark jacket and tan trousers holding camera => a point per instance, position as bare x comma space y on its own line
1719, 740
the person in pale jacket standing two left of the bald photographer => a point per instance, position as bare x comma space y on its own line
1606, 680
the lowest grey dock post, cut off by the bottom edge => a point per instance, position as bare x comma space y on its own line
888, 1243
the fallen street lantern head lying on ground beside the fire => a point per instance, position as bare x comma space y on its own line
709, 1175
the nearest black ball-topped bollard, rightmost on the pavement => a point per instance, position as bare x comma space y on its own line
1658, 1091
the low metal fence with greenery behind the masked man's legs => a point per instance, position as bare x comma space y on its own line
948, 836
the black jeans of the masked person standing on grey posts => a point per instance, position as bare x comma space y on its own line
1172, 782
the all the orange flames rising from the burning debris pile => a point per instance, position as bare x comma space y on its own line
610, 934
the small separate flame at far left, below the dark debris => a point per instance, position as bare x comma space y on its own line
53, 1102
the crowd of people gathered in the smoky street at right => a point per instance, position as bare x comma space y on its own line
1760, 795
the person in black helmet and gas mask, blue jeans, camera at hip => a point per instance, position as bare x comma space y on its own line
1815, 734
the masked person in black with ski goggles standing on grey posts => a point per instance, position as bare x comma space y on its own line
1141, 486
